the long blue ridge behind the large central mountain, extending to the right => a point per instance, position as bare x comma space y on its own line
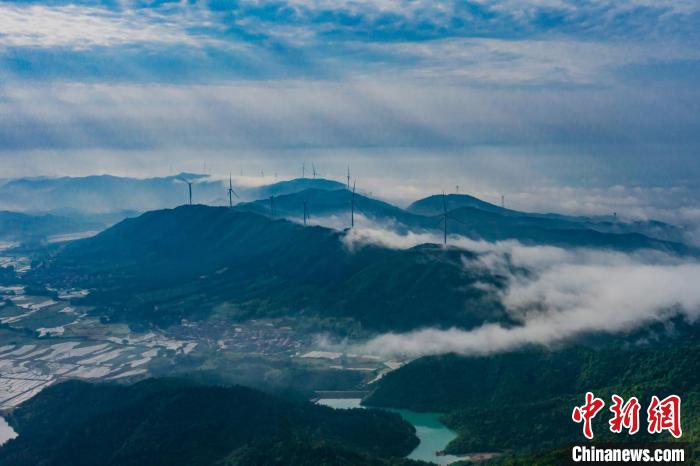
467, 216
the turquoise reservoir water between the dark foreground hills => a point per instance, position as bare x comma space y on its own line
432, 433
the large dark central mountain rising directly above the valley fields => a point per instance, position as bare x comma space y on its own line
172, 264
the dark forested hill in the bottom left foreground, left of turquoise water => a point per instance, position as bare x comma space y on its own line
171, 422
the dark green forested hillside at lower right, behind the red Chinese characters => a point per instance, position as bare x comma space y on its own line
521, 402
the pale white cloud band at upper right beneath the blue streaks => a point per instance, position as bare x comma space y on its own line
565, 61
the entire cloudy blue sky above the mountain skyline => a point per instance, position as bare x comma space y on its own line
577, 106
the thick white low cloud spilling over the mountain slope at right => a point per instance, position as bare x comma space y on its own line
564, 295
